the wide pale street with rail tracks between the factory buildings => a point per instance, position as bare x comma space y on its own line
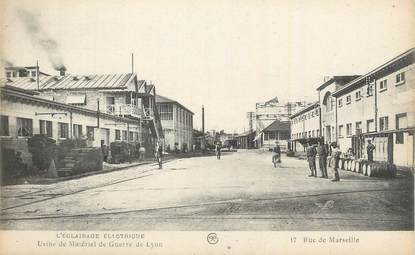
242, 191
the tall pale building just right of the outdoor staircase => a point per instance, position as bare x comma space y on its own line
177, 123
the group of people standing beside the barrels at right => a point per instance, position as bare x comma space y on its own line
322, 151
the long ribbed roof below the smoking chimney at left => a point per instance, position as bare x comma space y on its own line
73, 82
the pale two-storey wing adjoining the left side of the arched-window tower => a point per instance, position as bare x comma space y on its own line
305, 126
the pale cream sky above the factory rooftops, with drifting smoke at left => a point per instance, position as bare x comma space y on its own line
225, 55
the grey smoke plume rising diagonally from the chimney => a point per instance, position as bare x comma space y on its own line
41, 39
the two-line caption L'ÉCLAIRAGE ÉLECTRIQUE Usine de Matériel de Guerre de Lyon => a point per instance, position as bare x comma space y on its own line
99, 240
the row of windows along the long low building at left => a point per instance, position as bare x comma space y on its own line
24, 128
